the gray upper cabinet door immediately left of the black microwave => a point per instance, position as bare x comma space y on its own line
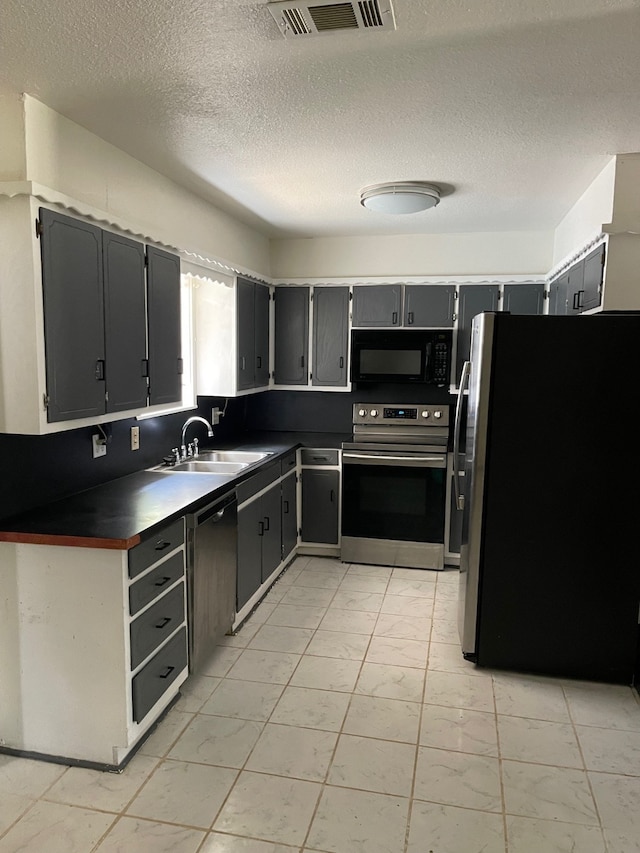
330, 335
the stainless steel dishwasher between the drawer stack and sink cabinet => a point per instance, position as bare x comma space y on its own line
212, 547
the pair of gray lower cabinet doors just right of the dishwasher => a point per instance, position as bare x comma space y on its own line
259, 542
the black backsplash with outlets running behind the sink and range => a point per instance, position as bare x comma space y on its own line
39, 469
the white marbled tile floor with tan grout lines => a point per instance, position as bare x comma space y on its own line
342, 718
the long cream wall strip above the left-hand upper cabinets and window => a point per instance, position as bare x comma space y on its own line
64, 156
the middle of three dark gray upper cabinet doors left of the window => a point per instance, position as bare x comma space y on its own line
125, 323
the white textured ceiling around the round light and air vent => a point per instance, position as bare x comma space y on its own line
513, 106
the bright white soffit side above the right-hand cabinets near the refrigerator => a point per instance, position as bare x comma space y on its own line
583, 223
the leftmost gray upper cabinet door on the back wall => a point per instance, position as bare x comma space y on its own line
292, 335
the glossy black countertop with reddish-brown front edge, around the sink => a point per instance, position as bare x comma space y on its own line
116, 514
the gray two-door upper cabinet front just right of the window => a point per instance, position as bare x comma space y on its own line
253, 334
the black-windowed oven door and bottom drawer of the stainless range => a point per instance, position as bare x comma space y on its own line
393, 508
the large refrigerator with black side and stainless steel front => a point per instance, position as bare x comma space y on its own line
550, 571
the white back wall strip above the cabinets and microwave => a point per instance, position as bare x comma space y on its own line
512, 253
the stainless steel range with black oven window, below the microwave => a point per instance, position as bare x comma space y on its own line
395, 485
